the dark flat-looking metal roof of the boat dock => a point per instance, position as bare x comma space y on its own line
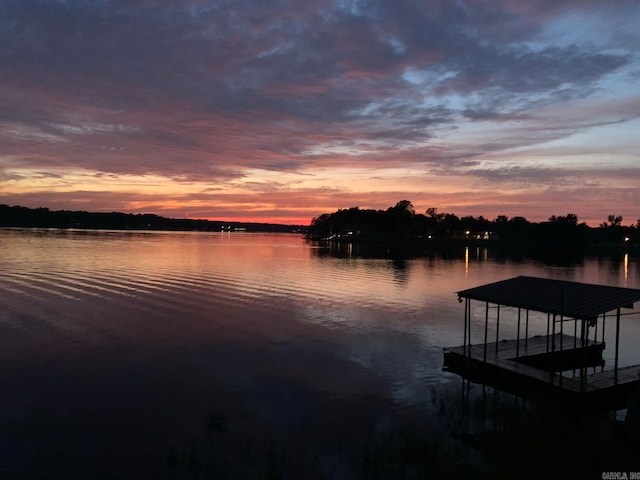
570, 299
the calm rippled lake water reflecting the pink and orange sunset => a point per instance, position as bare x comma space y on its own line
171, 354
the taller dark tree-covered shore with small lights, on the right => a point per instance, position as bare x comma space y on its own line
401, 223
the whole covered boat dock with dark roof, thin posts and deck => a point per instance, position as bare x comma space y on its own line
565, 362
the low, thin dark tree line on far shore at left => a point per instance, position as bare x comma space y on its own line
16, 216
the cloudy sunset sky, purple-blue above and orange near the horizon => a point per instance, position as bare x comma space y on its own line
280, 111
